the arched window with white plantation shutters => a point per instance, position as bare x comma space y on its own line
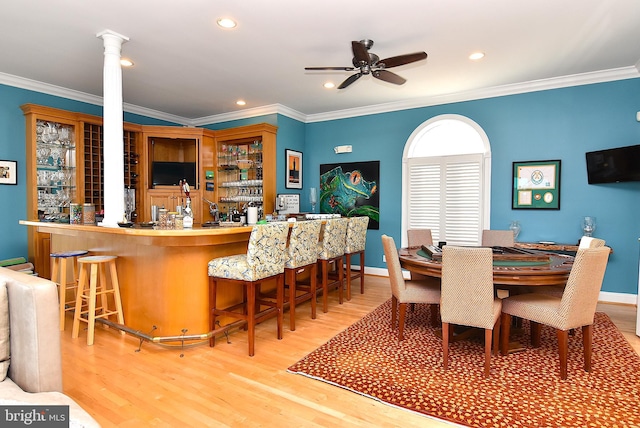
446, 180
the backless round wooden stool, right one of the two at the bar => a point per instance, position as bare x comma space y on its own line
94, 269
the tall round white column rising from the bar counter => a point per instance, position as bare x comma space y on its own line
113, 147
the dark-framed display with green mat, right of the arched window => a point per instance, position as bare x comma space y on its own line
536, 185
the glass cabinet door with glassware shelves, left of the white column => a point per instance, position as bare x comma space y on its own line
55, 167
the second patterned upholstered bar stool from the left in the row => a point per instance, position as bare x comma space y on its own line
301, 257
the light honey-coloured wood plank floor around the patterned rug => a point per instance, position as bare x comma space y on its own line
223, 386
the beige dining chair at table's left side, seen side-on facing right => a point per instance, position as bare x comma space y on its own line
405, 292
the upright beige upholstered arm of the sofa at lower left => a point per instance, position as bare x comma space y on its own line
36, 364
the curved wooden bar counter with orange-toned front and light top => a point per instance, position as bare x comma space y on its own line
162, 273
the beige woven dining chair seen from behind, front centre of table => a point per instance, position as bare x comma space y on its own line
468, 297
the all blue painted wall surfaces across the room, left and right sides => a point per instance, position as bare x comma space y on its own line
556, 124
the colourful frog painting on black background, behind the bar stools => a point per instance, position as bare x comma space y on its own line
351, 189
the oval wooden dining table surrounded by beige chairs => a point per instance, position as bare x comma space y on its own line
516, 273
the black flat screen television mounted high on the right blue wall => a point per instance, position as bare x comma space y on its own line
614, 165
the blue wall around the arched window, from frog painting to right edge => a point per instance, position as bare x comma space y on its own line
556, 124
